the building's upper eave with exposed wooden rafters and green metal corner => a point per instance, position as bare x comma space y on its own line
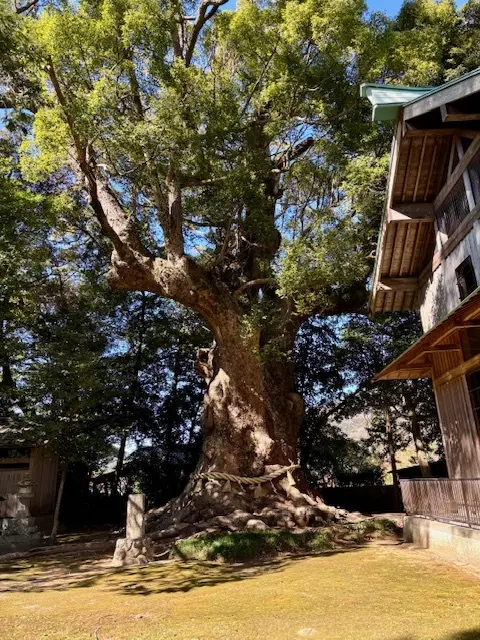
419, 170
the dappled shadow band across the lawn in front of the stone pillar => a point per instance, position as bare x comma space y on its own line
61, 574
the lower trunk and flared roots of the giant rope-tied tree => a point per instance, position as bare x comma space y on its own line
251, 421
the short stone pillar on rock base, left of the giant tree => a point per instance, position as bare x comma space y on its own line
136, 548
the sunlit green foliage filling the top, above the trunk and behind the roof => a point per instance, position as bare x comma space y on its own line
262, 80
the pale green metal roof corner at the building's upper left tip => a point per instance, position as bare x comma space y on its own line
387, 99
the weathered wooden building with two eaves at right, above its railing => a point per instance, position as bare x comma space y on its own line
428, 255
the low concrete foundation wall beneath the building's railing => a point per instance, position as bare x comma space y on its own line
455, 543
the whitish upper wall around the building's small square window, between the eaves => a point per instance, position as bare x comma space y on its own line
439, 293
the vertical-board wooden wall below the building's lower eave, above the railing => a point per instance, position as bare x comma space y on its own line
460, 434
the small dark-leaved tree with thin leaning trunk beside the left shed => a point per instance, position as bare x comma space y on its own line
65, 392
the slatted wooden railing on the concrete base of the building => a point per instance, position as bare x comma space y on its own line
449, 500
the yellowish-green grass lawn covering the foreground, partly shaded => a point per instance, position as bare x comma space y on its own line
383, 591
